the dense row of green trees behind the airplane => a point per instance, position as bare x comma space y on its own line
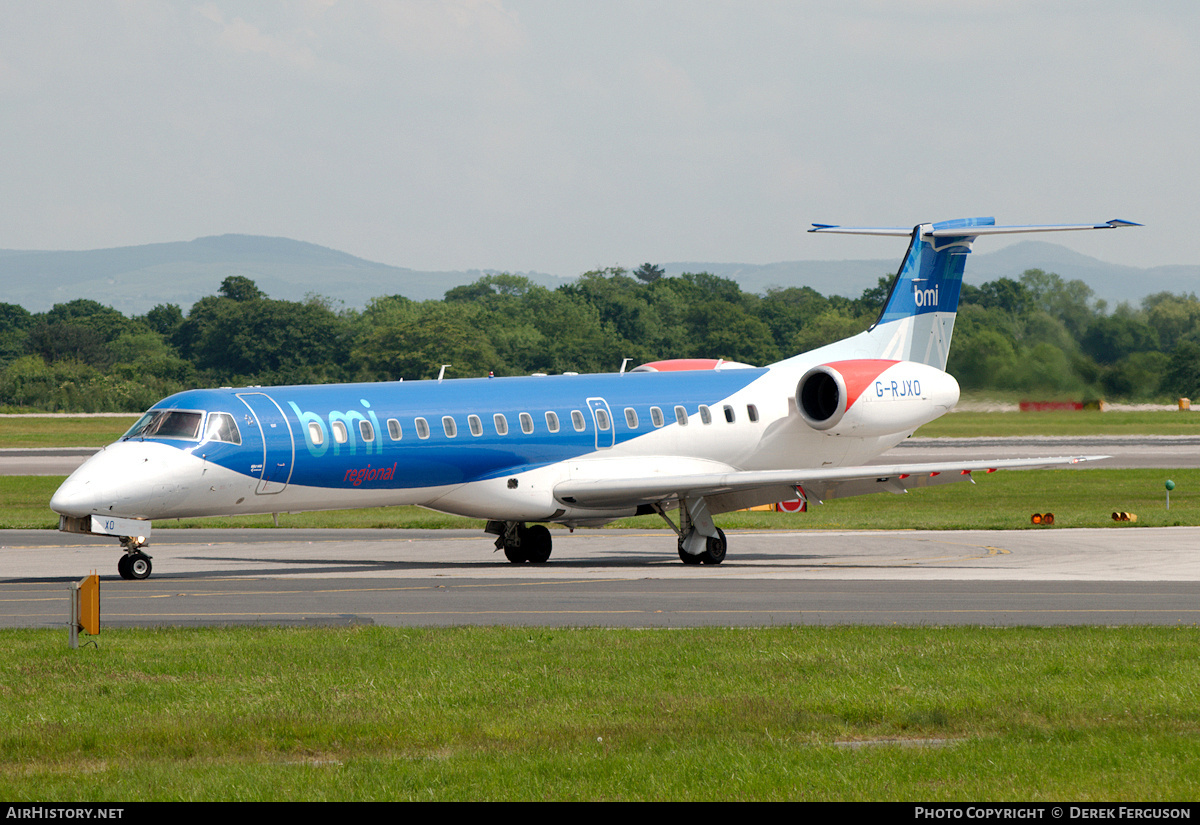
1037, 335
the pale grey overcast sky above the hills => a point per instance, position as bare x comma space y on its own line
562, 136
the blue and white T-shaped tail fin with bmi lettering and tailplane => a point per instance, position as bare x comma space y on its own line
919, 316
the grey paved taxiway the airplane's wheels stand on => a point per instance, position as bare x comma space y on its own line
626, 579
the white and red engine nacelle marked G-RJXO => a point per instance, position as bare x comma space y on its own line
873, 398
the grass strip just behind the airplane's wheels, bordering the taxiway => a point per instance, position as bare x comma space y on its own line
999, 502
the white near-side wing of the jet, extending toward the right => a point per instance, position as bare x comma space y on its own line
739, 490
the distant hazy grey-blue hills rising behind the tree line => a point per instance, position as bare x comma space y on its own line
133, 280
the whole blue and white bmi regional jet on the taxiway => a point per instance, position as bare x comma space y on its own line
699, 438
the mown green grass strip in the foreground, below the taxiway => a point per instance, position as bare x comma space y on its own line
505, 714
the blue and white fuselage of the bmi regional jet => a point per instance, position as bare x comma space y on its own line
483, 448
